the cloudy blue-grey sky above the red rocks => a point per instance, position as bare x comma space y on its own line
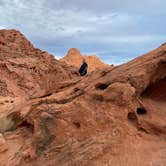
115, 30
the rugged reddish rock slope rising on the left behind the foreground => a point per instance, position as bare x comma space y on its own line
27, 71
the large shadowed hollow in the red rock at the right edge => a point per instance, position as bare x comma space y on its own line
154, 95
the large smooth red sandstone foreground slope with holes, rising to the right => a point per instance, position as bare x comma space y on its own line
115, 116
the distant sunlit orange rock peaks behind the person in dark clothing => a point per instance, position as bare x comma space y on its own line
74, 58
